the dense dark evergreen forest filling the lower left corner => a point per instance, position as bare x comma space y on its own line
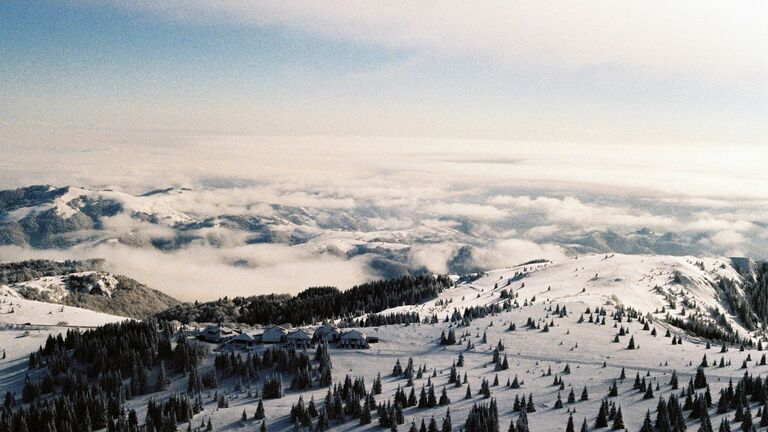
90, 375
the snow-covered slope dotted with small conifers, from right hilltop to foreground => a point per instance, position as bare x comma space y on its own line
595, 361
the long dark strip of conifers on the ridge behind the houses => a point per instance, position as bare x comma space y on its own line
313, 304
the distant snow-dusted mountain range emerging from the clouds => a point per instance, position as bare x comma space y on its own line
390, 243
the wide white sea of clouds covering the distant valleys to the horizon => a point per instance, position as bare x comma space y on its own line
332, 207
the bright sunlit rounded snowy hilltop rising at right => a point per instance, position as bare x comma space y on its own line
643, 282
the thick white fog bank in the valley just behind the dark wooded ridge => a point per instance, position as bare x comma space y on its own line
205, 273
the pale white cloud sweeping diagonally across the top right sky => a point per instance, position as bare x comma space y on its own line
717, 40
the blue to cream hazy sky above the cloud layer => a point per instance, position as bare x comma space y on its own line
592, 71
